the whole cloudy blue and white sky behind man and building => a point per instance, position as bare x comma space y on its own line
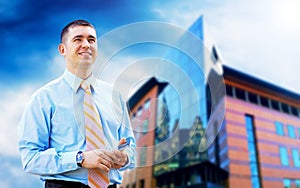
260, 38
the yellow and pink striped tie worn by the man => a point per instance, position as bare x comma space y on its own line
94, 136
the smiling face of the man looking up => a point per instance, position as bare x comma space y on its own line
79, 47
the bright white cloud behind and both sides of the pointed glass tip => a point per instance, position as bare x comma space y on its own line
260, 38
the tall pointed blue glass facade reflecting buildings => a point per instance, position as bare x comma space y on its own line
181, 108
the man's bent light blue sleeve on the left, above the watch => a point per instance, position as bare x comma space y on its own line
34, 132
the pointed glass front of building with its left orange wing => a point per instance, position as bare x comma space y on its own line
169, 117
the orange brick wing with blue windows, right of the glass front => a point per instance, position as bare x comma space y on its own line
260, 139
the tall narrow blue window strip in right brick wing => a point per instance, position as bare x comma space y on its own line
252, 151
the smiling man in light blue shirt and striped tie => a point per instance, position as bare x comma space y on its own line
53, 132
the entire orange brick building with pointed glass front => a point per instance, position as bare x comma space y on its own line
208, 125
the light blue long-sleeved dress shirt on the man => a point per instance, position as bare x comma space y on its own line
51, 130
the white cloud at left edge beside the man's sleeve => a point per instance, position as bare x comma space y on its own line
13, 103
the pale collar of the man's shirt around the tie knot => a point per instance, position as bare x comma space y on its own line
74, 81
